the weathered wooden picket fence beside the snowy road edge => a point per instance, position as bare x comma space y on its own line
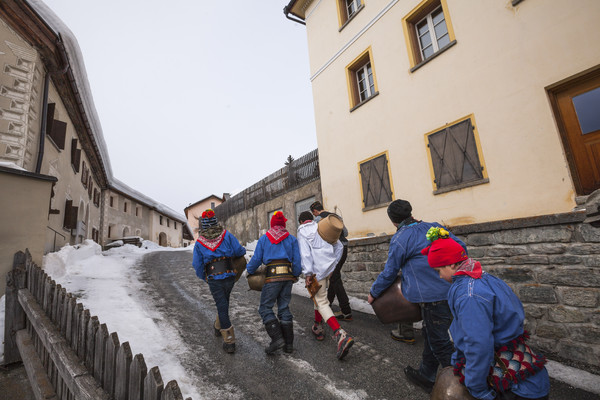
67, 353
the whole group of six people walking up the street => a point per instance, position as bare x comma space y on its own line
488, 351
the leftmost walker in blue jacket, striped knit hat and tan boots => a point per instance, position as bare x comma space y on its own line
213, 251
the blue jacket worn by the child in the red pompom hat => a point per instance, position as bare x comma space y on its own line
487, 314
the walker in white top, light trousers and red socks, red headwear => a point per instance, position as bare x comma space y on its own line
319, 259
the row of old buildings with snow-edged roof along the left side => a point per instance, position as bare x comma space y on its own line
55, 172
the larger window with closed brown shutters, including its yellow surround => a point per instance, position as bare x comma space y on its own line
455, 157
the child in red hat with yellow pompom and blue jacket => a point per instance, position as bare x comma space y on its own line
492, 357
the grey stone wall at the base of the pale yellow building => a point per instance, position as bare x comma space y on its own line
551, 262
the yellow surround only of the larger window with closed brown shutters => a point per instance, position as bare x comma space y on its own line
449, 188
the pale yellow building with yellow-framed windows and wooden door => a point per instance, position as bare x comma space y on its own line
473, 111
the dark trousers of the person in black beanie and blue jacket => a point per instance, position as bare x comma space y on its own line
437, 346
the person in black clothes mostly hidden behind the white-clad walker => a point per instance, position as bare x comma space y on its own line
336, 285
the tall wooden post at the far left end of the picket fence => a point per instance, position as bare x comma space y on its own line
15, 316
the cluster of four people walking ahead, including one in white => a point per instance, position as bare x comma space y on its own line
285, 258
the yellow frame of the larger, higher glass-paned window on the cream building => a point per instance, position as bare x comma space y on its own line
409, 24
